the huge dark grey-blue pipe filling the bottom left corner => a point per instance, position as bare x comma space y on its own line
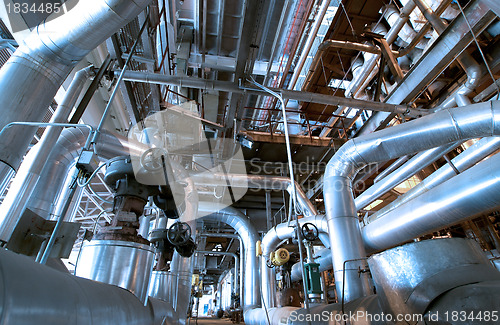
32, 292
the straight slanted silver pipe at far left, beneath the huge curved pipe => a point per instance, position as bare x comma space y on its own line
28, 174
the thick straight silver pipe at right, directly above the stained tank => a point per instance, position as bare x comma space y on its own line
477, 190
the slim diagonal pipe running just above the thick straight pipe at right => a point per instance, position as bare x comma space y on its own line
474, 154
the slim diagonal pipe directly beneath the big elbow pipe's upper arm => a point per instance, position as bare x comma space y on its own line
407, 170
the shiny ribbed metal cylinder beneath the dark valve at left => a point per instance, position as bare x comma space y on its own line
122, 263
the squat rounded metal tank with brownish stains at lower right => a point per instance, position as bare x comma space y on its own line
409, 277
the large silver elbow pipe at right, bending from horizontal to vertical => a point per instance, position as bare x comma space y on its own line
447, 126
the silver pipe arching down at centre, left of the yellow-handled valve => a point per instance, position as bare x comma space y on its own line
240, 223
